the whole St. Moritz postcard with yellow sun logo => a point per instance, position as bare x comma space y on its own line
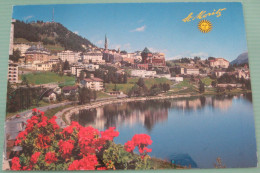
129, 86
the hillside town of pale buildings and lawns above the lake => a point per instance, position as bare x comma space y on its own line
103, 73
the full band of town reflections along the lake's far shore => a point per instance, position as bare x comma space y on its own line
149, 113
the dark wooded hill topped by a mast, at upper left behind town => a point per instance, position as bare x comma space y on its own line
52, 35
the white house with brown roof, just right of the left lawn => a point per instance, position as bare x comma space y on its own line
93, 83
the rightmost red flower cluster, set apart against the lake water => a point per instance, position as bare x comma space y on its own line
141, 141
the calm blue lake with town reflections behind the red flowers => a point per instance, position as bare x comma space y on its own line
194, 131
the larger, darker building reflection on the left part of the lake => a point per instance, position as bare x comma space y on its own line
124, 114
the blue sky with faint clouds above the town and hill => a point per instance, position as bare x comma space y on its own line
158, 26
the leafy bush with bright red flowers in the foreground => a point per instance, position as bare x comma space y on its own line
47, 147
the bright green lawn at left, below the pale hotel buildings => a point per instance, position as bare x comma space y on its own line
48, 77
